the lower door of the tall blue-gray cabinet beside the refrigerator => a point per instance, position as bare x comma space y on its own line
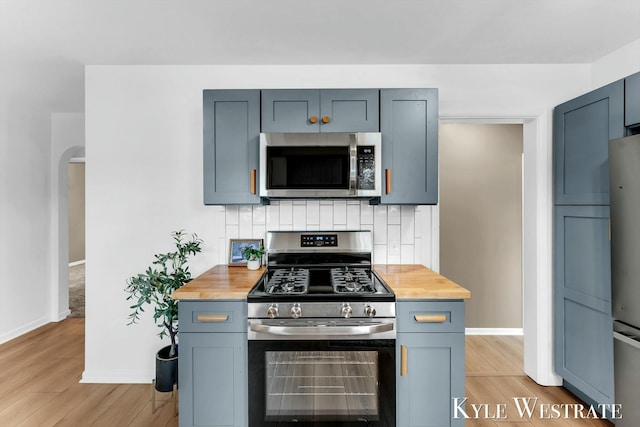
582, 300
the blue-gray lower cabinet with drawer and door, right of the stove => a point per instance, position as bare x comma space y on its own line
431, 362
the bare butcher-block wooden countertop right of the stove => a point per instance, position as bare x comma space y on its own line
415, 281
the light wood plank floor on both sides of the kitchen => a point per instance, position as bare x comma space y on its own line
39, 384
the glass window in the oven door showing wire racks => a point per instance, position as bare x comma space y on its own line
321, 386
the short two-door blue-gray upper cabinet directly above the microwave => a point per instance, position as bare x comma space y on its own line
320, 110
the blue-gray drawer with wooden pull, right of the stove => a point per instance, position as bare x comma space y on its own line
430, 316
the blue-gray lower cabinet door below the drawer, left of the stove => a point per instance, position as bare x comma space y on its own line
213, 379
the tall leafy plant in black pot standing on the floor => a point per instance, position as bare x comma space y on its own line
168, 272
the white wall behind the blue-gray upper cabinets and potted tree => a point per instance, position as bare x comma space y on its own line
144, 171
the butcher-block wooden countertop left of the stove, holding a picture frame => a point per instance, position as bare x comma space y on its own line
220, 282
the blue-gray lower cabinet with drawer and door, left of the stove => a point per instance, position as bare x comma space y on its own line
212, 366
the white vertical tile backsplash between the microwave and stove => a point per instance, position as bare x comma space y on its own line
401, 234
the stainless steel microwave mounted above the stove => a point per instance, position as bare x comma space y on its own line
332, 165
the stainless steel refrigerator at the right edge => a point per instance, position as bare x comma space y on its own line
624, 166
